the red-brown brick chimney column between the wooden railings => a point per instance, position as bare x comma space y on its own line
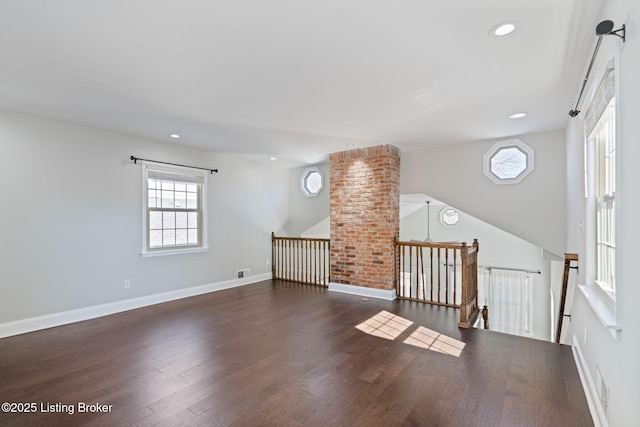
365, 216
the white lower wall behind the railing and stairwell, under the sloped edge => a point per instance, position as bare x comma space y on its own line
497, 249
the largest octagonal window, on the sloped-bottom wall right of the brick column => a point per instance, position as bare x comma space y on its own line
508, 162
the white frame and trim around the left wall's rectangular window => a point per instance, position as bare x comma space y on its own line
177, 173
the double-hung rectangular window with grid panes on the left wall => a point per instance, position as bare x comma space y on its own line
174, 210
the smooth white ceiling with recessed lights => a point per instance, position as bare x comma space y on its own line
297, 79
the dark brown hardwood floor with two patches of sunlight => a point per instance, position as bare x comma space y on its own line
275, 353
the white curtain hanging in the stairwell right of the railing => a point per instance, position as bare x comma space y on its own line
508, 300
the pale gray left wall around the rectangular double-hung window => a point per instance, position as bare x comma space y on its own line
71, 225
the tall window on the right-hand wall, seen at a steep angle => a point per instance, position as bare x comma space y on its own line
601, 175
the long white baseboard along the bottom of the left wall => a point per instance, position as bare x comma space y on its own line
63, 318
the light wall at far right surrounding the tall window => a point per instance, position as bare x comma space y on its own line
617, 358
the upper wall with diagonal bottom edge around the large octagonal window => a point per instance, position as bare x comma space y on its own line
534, 210
